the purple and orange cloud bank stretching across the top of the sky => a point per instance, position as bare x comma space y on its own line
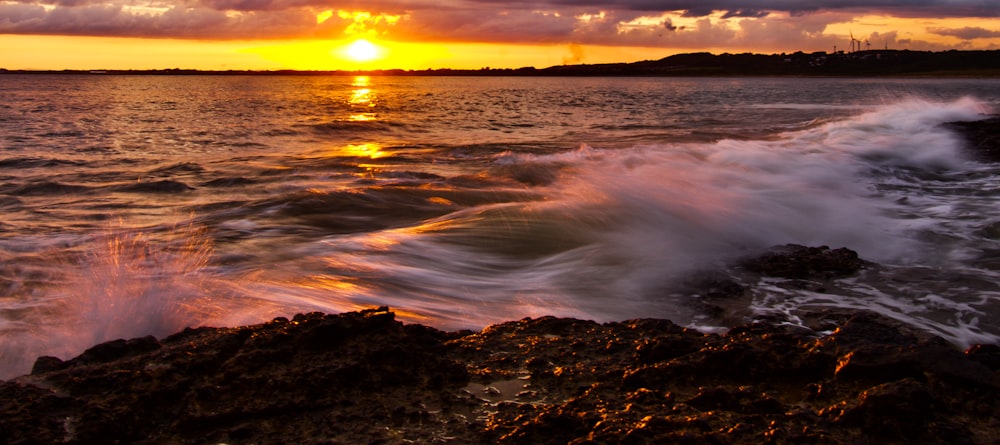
754, 25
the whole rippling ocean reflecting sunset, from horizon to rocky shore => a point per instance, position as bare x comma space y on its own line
140, 205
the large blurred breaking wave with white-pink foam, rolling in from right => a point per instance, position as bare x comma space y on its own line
615, 230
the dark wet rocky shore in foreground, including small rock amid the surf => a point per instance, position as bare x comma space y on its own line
363, 377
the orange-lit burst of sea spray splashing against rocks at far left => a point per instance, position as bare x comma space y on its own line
120, 284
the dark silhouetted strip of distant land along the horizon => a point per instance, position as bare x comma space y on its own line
875, 63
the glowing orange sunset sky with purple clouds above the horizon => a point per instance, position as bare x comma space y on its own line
464, 34
